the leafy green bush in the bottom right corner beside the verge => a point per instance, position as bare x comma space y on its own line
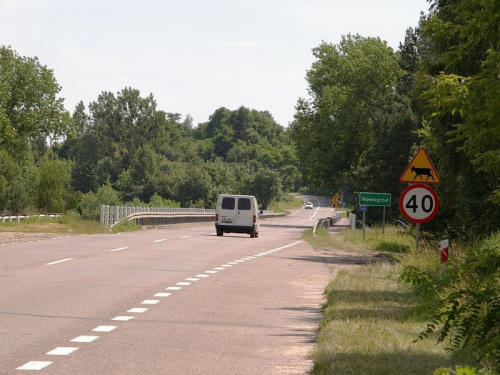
462, 303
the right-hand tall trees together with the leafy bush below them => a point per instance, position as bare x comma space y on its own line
370, 108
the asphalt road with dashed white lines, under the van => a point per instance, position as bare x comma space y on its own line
178, 300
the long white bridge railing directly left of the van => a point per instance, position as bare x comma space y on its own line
111, 215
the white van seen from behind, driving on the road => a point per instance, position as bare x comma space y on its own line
238, 214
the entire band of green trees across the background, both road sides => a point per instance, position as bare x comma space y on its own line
369, 109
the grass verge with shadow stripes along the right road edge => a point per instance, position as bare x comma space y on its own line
366, 327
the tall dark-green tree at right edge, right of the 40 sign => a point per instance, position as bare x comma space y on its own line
459, 84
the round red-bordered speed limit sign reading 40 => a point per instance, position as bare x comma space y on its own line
419, 203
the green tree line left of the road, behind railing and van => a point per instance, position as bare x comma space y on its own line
122, 149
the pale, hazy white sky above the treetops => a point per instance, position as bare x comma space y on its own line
194, 56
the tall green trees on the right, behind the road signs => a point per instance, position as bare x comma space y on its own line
370, 108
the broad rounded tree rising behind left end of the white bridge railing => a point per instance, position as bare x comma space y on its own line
118, 131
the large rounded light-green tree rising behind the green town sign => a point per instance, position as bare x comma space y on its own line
347, 83
